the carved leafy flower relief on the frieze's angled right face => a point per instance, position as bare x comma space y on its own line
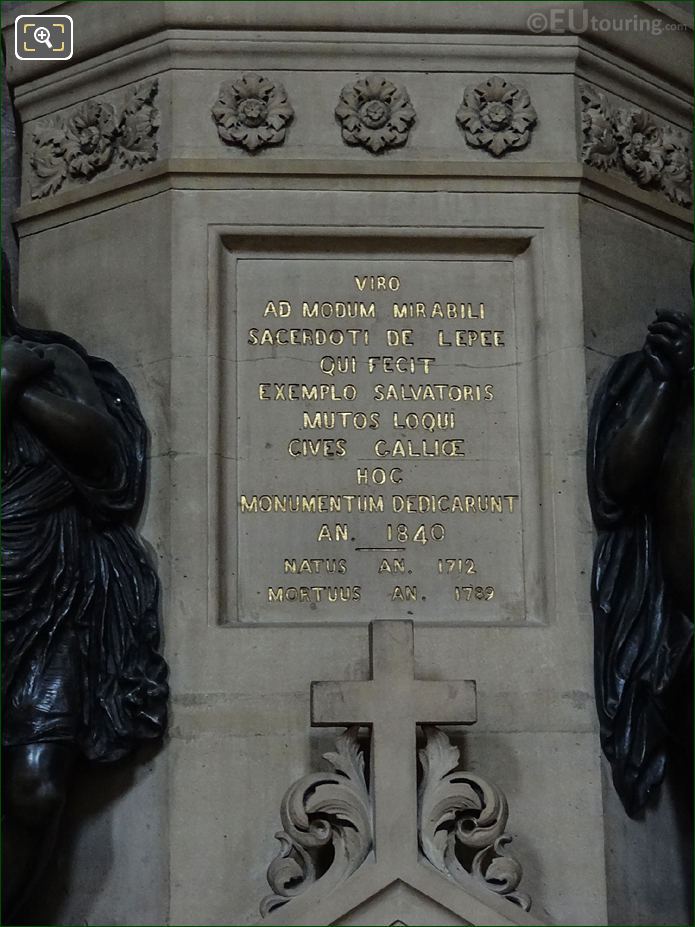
632, 142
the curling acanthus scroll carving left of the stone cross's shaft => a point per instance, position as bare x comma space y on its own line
327, 826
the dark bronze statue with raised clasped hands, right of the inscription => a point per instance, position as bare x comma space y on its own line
640, 488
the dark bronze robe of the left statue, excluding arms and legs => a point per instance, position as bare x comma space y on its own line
79, 595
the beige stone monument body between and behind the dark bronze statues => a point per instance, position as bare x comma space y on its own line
364, 265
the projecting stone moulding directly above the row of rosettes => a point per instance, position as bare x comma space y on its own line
210, 50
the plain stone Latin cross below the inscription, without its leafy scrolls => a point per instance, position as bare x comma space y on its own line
392, 703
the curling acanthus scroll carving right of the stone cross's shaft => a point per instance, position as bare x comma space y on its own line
462, 820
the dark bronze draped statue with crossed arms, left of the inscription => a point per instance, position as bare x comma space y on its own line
82, 674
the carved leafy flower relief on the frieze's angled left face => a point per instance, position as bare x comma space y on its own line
92, 138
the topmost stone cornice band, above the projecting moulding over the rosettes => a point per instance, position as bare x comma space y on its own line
666, 53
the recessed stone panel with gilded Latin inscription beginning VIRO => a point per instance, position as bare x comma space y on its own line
377, 470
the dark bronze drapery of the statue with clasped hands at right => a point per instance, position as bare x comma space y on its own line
642, 640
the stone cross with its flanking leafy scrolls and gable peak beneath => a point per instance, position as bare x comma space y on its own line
376, 834
